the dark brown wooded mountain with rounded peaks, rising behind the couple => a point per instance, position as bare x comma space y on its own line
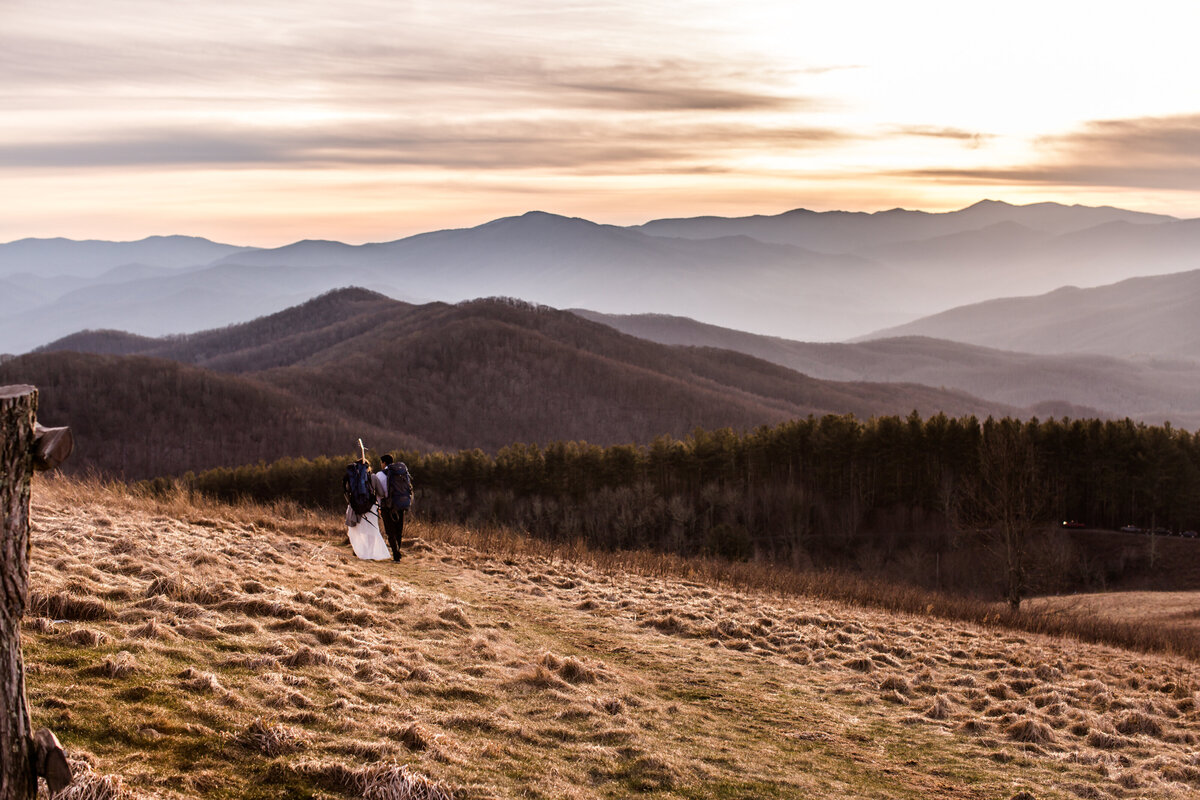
477, 375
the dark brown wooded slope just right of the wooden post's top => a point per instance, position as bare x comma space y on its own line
137, 417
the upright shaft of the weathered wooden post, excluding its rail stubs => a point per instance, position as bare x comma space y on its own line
19, 407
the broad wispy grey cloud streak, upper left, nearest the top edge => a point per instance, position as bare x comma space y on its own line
357, 68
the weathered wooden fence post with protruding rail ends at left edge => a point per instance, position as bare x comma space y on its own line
25, 447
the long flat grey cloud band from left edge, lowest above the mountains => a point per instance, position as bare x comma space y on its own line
572, 143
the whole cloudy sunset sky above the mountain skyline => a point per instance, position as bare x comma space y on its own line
267, 122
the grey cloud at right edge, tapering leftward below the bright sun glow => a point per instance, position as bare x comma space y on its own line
1155, 153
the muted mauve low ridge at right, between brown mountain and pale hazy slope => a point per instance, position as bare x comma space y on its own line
1076, 384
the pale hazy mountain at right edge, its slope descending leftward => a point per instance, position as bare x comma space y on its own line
1156, 316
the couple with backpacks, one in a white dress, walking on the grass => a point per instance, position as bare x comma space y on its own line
393, 488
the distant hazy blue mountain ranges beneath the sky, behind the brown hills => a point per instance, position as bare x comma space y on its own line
801, 275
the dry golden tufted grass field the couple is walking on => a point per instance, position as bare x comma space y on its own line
188, 651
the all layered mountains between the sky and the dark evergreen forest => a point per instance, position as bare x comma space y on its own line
142, 346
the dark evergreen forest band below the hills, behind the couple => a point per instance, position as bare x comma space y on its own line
923, 500
